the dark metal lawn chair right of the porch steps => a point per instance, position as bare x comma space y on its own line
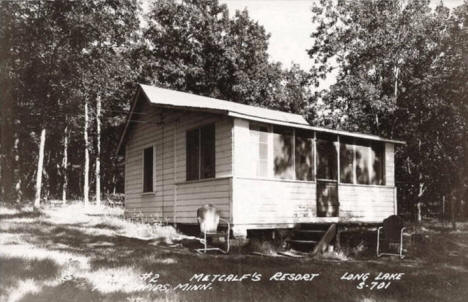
390, 237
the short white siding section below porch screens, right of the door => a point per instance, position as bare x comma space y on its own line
366, 202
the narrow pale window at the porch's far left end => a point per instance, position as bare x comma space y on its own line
259, 143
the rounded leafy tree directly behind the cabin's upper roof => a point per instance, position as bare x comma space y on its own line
194, 46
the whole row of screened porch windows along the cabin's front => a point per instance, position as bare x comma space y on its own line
289, 153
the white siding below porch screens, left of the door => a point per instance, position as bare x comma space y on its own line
268, 201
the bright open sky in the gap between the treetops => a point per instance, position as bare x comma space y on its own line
290, 26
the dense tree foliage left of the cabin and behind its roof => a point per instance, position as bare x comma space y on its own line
57, 56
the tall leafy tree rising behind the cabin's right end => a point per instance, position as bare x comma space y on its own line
391, 67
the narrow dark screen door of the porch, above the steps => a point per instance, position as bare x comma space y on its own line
327, 177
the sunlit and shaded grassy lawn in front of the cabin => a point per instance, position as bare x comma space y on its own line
73, 254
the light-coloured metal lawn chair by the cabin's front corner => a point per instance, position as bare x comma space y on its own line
208, 220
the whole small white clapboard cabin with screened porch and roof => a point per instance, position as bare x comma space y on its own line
263, 169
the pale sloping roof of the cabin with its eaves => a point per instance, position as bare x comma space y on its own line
181, 100
